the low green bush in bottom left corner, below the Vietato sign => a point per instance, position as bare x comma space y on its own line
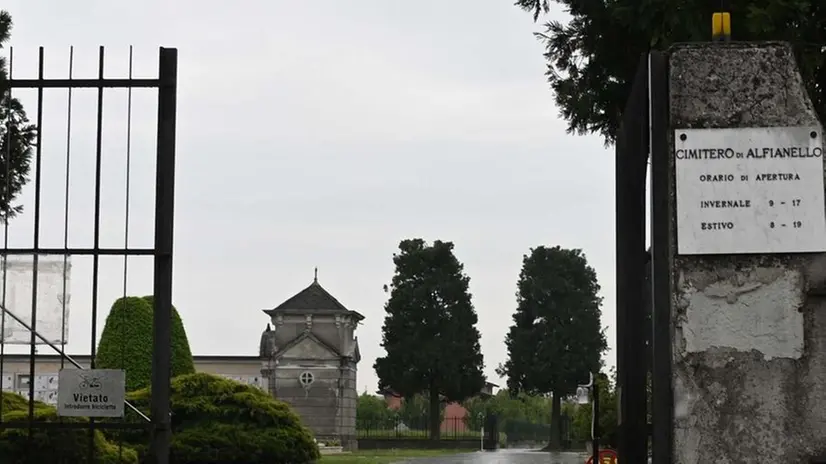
57, 445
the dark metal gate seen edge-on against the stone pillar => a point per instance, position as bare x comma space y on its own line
643, 285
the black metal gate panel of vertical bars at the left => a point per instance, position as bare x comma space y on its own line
35, 283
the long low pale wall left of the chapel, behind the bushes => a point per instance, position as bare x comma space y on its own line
16, 377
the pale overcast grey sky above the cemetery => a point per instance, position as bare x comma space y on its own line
317, 134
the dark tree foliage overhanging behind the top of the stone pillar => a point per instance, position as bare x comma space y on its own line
591, 60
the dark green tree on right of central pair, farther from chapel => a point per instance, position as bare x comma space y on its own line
556, 338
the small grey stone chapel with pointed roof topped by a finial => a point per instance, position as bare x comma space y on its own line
309, 354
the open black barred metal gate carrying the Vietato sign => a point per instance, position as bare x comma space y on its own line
155, 423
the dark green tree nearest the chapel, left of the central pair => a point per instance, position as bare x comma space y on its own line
429, 332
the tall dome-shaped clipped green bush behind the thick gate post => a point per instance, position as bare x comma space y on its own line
126, 342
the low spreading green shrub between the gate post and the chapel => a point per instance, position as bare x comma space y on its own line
217, 420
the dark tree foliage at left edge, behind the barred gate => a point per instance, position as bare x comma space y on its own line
17, 138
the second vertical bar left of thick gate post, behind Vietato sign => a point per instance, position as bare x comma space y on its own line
96, 239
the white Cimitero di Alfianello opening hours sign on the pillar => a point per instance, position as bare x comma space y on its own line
750, 190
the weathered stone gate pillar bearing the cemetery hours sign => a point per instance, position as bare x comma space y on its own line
749, 273
